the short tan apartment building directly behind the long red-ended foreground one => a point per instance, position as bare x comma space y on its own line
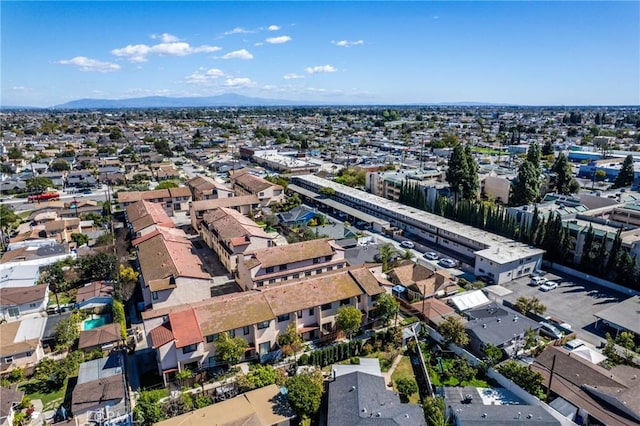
279, 264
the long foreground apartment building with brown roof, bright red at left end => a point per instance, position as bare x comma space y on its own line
185, 336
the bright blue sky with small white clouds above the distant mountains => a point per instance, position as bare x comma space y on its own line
530, 53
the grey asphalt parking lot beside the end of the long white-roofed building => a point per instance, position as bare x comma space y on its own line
572, 302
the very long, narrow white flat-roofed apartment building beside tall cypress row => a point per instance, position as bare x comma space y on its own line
500, 258
